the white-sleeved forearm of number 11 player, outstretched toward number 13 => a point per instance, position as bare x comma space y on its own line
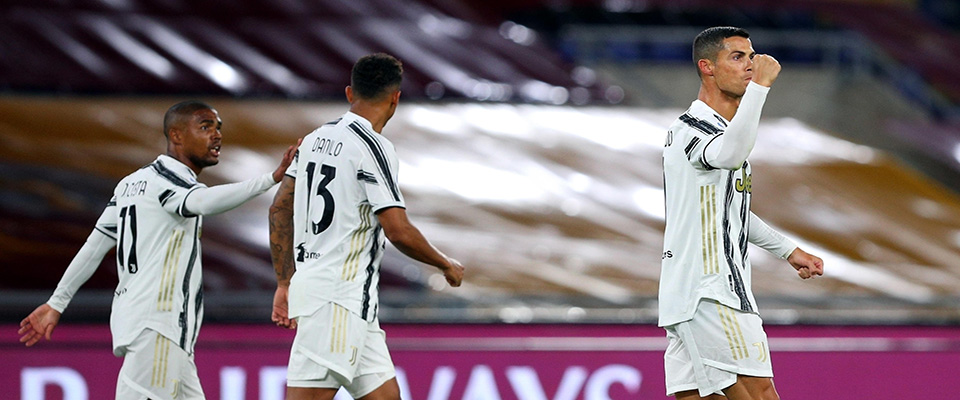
221, 198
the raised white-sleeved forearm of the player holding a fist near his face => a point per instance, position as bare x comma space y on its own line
731, 149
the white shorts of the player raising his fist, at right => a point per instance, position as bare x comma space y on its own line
709, 351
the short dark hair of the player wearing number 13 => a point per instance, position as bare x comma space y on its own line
375, 74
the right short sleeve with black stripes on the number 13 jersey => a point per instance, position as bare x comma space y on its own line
377, 174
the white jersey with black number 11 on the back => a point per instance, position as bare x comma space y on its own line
158, 254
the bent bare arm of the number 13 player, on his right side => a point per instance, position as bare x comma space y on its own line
408, 239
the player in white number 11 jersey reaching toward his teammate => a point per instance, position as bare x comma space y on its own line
154, 221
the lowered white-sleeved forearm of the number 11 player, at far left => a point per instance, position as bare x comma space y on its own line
80, 270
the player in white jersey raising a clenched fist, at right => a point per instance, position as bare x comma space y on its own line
716, 340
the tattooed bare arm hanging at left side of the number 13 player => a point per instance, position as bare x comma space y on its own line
281, 250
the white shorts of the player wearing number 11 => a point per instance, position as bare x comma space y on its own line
155, 367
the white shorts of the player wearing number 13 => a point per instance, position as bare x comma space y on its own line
335, 348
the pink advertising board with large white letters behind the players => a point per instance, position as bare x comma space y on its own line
510, 362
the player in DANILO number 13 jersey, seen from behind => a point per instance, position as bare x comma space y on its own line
339, 199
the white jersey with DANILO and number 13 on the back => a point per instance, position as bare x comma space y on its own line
345, 172
